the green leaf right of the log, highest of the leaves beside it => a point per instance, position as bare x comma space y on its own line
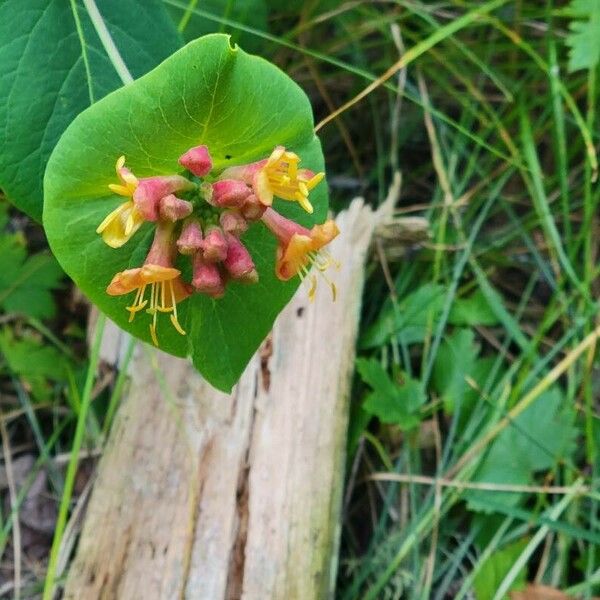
408, 320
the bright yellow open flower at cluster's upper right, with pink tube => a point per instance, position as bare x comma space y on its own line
278, 176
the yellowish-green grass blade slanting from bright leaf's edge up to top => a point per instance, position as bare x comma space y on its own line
412, 54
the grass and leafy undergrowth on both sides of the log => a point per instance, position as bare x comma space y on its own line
473, 449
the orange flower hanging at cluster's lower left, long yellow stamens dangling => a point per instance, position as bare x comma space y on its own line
158, 274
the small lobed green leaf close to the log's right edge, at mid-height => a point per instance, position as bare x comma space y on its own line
391, 402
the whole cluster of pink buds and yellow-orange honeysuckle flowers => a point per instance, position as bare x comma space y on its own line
203, 218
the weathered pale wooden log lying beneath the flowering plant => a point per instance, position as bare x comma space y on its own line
205, 495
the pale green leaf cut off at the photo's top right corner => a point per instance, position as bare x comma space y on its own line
584, 37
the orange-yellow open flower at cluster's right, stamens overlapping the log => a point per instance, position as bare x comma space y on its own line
300, 248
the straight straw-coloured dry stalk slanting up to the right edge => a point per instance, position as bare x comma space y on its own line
527, 400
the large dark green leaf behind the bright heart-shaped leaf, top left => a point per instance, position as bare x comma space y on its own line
50, 70
